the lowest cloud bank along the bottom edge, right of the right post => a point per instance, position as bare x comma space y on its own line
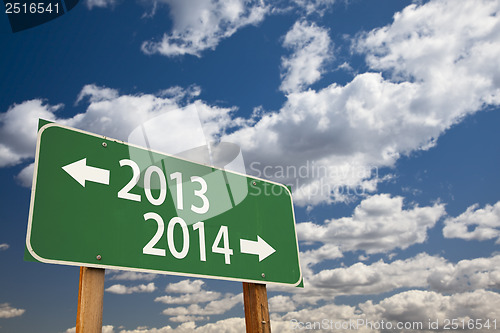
413, 308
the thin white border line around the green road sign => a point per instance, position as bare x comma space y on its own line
71, 263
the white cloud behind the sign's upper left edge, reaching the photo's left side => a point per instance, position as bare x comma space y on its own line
115, 116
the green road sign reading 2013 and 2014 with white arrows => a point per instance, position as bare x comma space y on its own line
100, 202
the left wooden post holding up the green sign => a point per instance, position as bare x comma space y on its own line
90, 298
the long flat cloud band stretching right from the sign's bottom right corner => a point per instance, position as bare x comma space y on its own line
422, 271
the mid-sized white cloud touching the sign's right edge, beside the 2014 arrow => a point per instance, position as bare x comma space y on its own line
379, 224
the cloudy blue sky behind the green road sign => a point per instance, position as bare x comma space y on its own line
395, 102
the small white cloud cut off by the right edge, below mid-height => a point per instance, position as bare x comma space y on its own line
475, 224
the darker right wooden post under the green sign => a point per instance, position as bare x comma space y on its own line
256, 308
